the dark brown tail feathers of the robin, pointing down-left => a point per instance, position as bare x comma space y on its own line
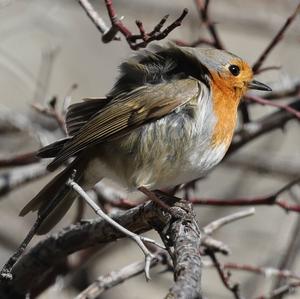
55, 199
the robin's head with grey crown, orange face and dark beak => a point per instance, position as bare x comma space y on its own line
229, 71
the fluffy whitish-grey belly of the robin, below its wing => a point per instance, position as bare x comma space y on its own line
171, 151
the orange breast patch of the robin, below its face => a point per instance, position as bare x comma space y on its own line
225, 103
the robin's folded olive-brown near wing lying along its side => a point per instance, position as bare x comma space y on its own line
127, 112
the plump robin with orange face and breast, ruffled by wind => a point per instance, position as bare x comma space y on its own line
169, 119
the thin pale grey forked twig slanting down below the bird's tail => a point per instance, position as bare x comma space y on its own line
138, 239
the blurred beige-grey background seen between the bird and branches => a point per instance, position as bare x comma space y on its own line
49, 45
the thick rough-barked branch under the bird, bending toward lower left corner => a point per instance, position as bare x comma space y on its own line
34, 266
